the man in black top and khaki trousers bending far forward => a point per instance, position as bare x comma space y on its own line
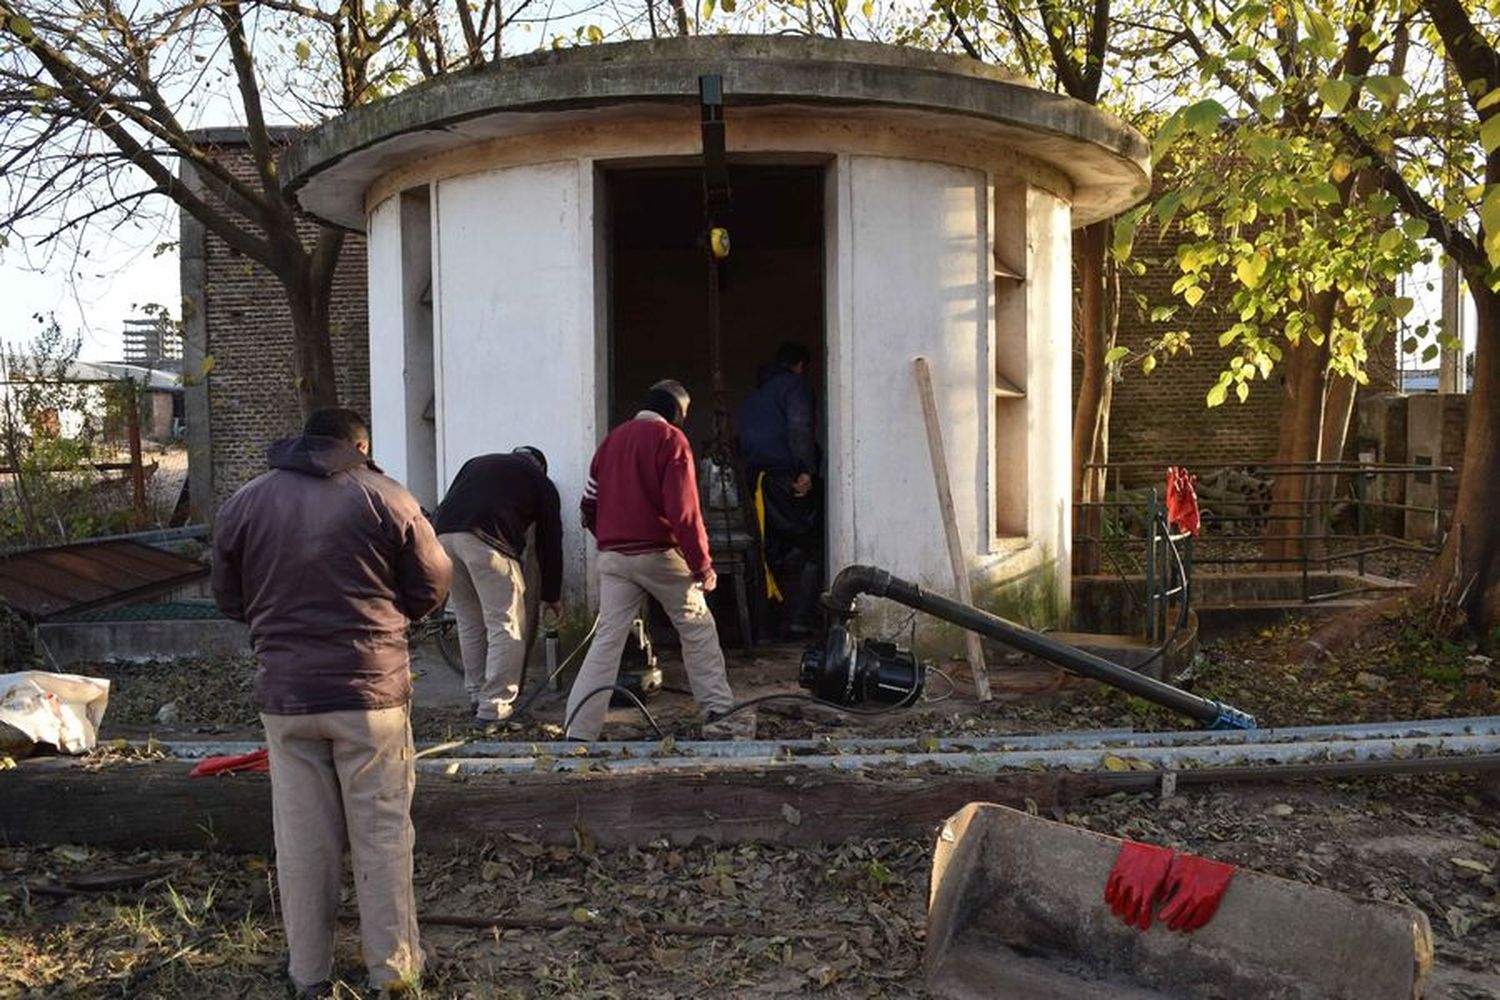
482, 525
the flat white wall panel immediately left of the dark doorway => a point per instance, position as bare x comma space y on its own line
517, 326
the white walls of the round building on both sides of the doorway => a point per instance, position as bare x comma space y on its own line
910, 254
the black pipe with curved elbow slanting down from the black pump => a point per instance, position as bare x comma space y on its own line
865, 579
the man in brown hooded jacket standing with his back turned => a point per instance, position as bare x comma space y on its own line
328, 560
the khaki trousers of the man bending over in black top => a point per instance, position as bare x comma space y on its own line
490, 602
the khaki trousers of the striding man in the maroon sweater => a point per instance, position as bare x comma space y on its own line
625, 581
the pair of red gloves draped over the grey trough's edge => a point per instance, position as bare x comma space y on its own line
1189, 887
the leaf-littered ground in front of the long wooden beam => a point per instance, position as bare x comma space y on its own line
206, 927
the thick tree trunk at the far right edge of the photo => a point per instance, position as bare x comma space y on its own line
1465, 581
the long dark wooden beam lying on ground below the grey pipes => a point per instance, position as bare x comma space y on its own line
158, 806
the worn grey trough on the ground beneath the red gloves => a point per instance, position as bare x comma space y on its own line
1018, 911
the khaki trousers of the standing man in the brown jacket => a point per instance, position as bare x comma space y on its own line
346, 779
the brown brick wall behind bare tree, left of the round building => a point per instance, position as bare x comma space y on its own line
236, 314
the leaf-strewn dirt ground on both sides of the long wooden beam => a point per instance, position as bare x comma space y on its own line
842, 921
